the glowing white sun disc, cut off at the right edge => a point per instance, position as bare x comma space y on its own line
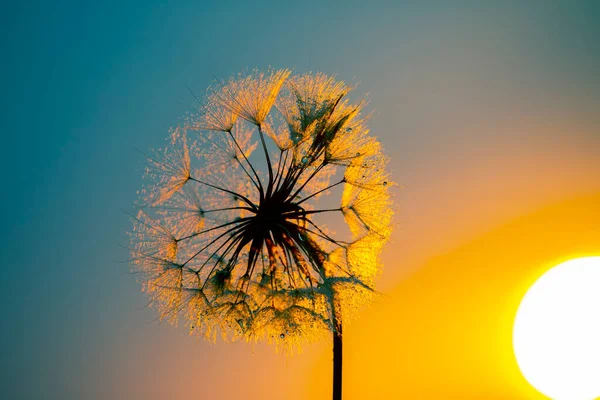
556, 334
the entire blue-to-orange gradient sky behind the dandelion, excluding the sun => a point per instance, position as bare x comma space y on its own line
488, 111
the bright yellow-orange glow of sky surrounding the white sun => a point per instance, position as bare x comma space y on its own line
445, 332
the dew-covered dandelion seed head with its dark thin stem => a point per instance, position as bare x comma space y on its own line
230, 236
